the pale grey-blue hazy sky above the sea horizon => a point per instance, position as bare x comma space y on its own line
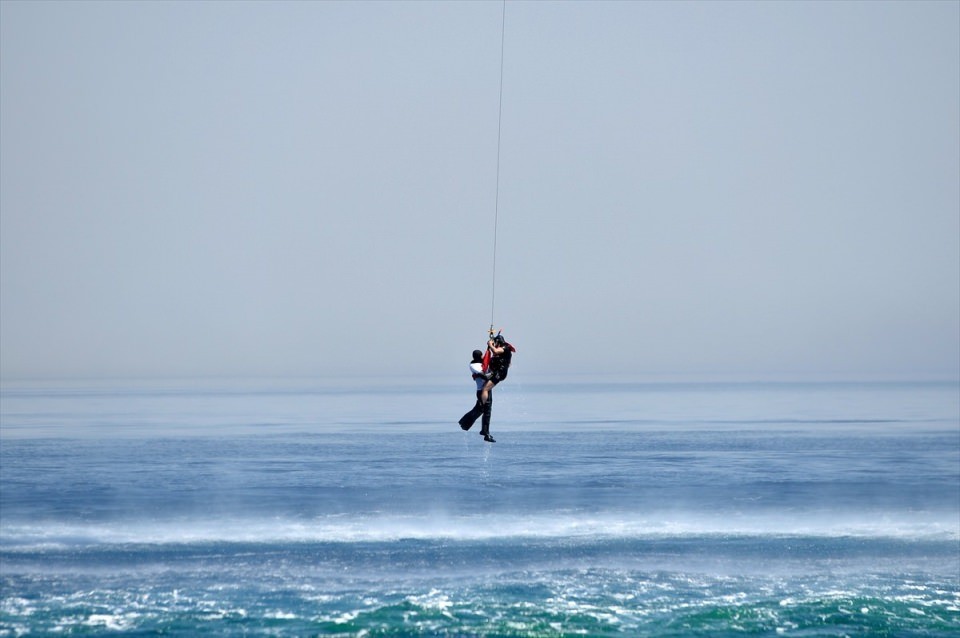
308, 188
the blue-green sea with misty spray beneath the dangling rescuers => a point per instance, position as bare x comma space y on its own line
359, 508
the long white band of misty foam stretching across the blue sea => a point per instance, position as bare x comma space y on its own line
570, 526
